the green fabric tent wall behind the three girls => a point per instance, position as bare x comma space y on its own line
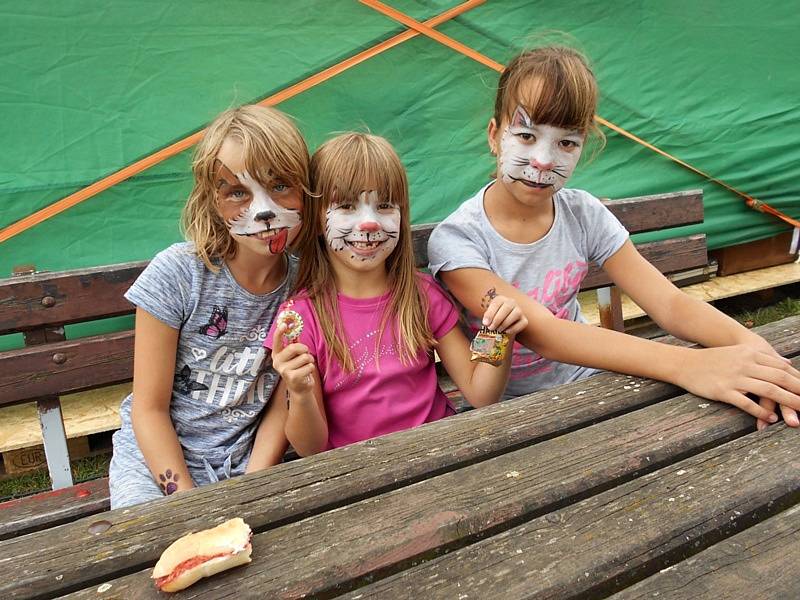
89, 88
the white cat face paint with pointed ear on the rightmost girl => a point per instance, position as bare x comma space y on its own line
538, 156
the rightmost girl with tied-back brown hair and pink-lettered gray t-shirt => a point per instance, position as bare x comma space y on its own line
529, 237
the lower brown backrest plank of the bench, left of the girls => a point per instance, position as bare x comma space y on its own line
65, 367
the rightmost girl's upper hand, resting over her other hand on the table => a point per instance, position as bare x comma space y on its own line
728, 373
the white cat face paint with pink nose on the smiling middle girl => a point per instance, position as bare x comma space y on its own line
365, 230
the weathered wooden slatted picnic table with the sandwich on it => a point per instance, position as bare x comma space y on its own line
614, 486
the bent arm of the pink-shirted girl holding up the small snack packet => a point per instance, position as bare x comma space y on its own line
481, 383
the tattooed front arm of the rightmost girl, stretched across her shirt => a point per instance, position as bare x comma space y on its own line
725, 374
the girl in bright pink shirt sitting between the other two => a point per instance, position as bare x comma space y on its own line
363, 364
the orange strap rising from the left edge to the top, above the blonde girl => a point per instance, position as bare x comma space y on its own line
187, 142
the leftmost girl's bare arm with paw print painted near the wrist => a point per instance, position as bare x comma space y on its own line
155, 349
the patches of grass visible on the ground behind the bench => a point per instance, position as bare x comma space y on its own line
751, 310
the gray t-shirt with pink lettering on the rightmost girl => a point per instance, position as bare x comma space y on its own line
549, 270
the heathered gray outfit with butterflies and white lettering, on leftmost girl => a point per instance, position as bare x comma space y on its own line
222, 374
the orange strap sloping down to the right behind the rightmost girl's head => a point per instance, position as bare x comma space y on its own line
484, 60
